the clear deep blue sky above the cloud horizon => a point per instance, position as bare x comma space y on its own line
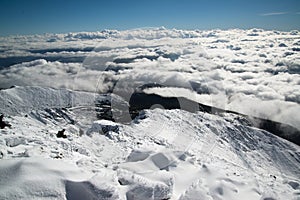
60, 16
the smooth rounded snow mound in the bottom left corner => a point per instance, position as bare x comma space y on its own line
35, 178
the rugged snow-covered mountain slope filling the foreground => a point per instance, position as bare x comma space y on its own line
161, 154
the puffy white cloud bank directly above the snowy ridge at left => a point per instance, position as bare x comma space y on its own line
54, 74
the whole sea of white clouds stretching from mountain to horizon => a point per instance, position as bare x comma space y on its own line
253, 71
